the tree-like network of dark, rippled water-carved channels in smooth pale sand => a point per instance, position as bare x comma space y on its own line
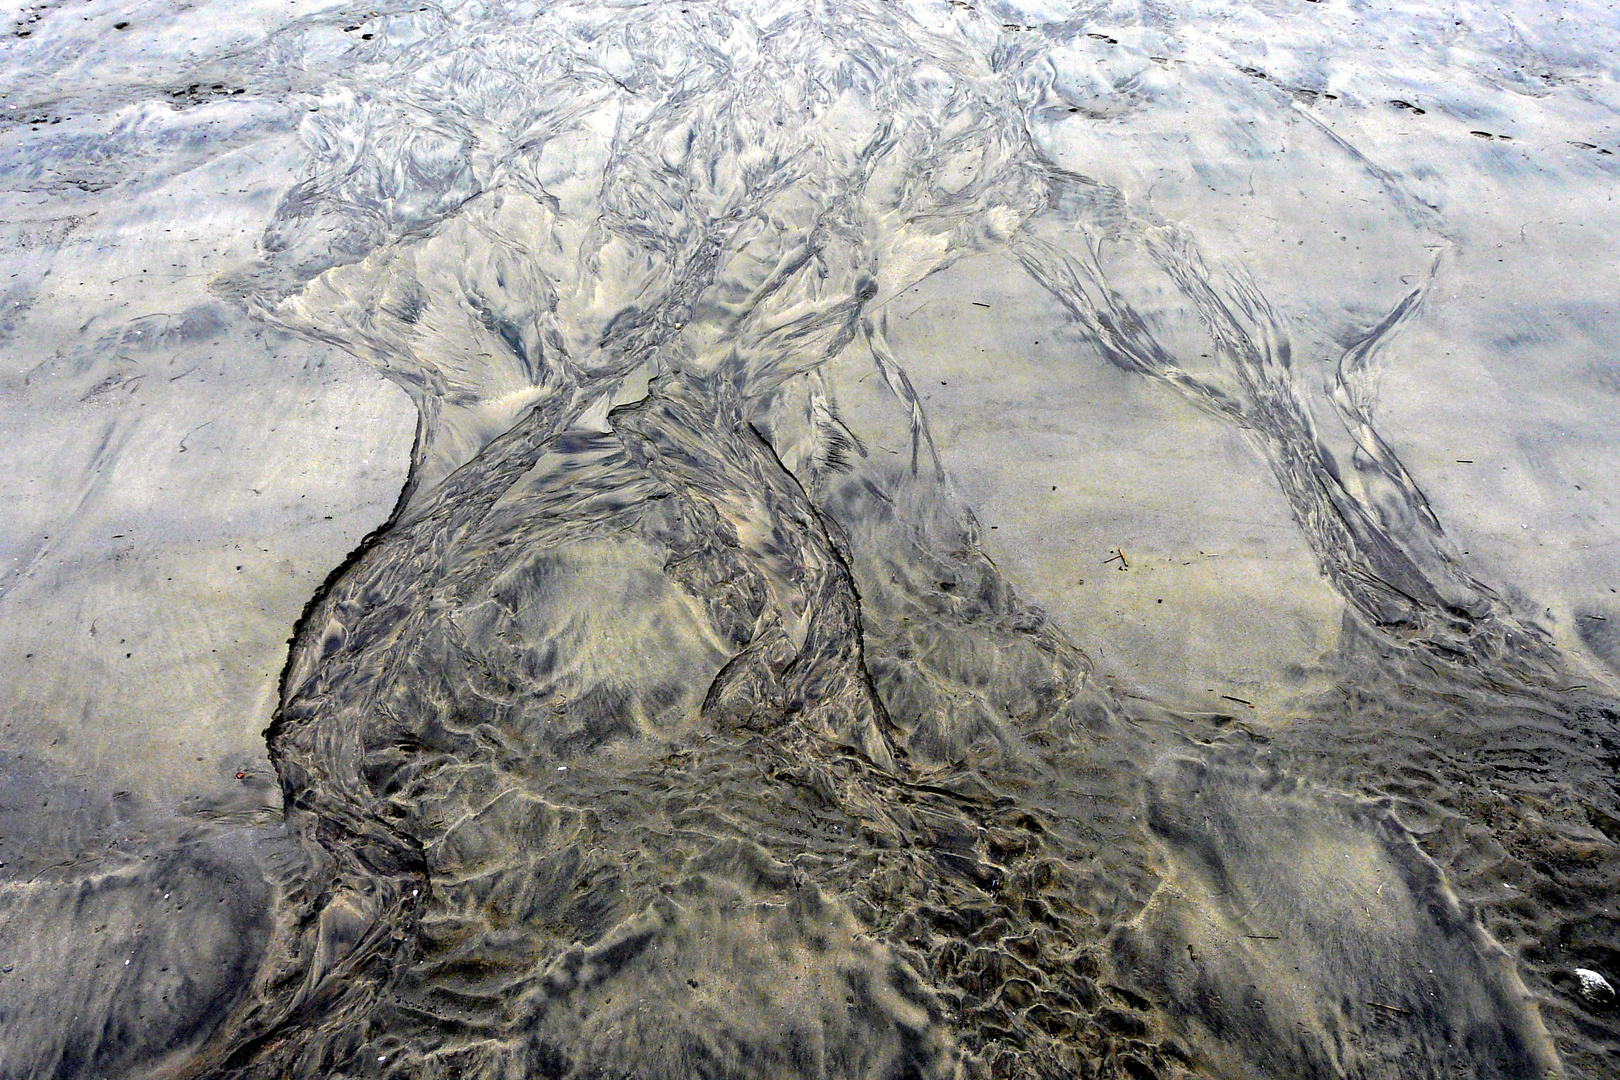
680, 725
